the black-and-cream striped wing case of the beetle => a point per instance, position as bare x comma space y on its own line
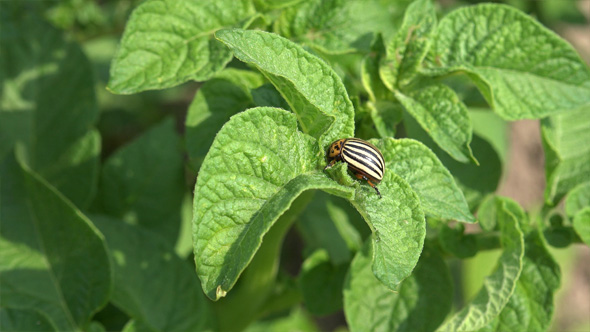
364, 157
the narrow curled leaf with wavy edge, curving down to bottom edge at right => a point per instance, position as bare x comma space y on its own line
499, 286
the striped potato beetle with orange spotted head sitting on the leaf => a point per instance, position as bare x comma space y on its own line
364, 160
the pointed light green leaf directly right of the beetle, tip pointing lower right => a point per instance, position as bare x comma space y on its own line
439, 195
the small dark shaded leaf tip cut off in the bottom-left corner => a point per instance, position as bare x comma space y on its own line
12, 319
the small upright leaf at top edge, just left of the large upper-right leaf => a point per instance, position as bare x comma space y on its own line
406, 51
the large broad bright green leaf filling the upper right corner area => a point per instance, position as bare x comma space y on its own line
523, 69
